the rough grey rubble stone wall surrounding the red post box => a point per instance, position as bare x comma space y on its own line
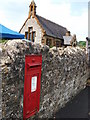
64, 74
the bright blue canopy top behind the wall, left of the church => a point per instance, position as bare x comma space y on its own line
6, 33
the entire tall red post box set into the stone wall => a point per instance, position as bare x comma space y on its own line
32, 85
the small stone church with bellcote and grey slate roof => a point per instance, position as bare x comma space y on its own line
42, 31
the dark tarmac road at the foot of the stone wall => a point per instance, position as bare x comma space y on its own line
78, 108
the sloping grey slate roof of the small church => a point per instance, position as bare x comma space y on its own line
51, 28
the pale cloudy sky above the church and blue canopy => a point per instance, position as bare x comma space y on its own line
72, 14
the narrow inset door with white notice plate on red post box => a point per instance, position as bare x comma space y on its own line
31, 94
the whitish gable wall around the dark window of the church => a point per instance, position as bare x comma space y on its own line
33, 23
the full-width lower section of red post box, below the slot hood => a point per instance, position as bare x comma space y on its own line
32, 93
